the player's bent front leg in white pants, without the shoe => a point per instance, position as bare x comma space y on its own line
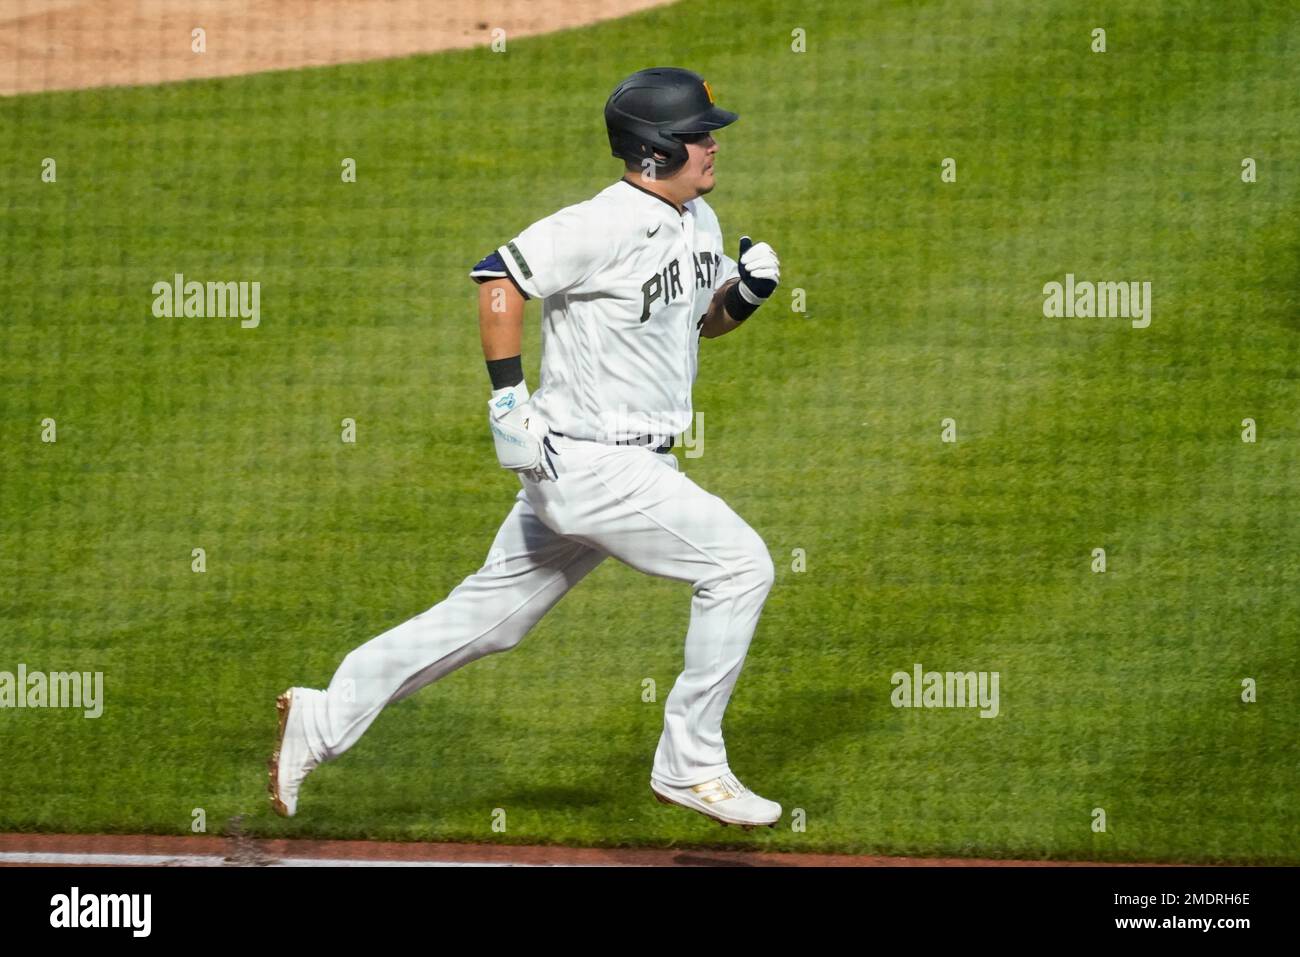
639, 508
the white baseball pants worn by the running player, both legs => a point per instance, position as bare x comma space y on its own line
622, 501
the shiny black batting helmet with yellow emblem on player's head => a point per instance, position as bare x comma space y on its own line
655, 110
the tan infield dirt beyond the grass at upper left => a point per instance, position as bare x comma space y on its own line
70, 45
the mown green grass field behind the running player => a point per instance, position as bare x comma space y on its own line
1120, 691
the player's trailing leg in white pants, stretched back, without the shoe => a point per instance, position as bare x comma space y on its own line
528, 571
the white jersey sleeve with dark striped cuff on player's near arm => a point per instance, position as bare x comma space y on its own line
557, 254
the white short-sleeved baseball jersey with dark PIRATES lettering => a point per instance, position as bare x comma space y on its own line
625, 282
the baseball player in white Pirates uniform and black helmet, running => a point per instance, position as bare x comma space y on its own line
630, 282
